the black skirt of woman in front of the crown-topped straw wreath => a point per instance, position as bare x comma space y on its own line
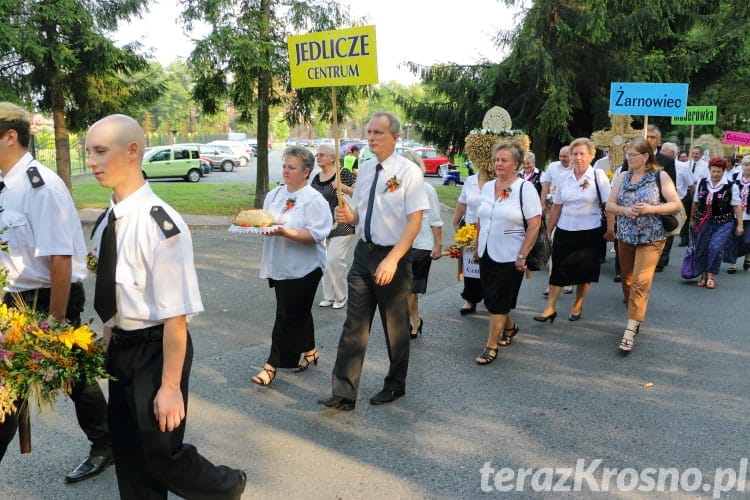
501, 282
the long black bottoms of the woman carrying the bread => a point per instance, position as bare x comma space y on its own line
293, 330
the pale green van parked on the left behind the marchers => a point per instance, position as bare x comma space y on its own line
177, 160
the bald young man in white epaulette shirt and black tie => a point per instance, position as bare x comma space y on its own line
145, 313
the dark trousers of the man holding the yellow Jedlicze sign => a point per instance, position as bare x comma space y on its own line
364, 297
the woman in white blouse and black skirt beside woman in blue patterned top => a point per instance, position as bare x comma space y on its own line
577, 248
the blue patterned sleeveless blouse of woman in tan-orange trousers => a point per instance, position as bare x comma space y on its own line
644, 228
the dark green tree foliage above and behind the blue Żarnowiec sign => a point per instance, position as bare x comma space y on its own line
564, 54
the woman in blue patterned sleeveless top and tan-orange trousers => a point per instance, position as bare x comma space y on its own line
641, 237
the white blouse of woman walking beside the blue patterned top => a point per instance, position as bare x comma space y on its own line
580, 205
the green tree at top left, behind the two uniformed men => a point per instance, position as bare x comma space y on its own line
55, 53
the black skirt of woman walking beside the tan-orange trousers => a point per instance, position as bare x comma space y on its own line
576, 257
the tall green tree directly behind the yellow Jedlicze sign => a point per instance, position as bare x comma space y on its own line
244, 59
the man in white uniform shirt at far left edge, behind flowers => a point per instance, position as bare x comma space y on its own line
46, 268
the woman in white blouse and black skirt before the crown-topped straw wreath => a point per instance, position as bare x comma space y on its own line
507, 204
